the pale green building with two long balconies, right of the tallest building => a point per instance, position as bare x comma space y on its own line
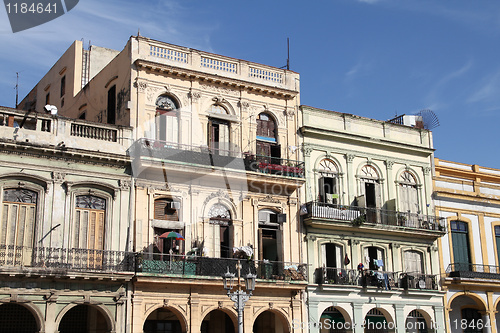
371, 230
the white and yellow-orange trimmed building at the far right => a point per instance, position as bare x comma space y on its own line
468, 197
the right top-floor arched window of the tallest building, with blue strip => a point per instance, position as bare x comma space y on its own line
267, 145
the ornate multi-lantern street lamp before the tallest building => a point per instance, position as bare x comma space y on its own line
239, 297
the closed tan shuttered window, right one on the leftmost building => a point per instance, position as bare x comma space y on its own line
90, 217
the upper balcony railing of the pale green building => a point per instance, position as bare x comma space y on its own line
359, 215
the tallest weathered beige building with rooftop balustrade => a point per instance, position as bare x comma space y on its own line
214, 159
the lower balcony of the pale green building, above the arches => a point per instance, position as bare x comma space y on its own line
378, 279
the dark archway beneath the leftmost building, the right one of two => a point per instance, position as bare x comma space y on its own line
84, 319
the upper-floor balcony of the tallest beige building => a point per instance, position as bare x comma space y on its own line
162, 151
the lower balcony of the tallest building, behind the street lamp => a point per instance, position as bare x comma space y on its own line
194, 266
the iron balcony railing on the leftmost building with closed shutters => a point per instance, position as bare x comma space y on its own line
62, 260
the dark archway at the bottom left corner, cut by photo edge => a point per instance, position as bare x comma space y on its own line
15, 318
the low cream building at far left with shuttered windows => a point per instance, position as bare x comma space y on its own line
65, 241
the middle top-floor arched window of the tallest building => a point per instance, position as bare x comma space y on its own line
218, 131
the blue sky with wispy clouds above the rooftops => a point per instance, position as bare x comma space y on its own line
373, 58
